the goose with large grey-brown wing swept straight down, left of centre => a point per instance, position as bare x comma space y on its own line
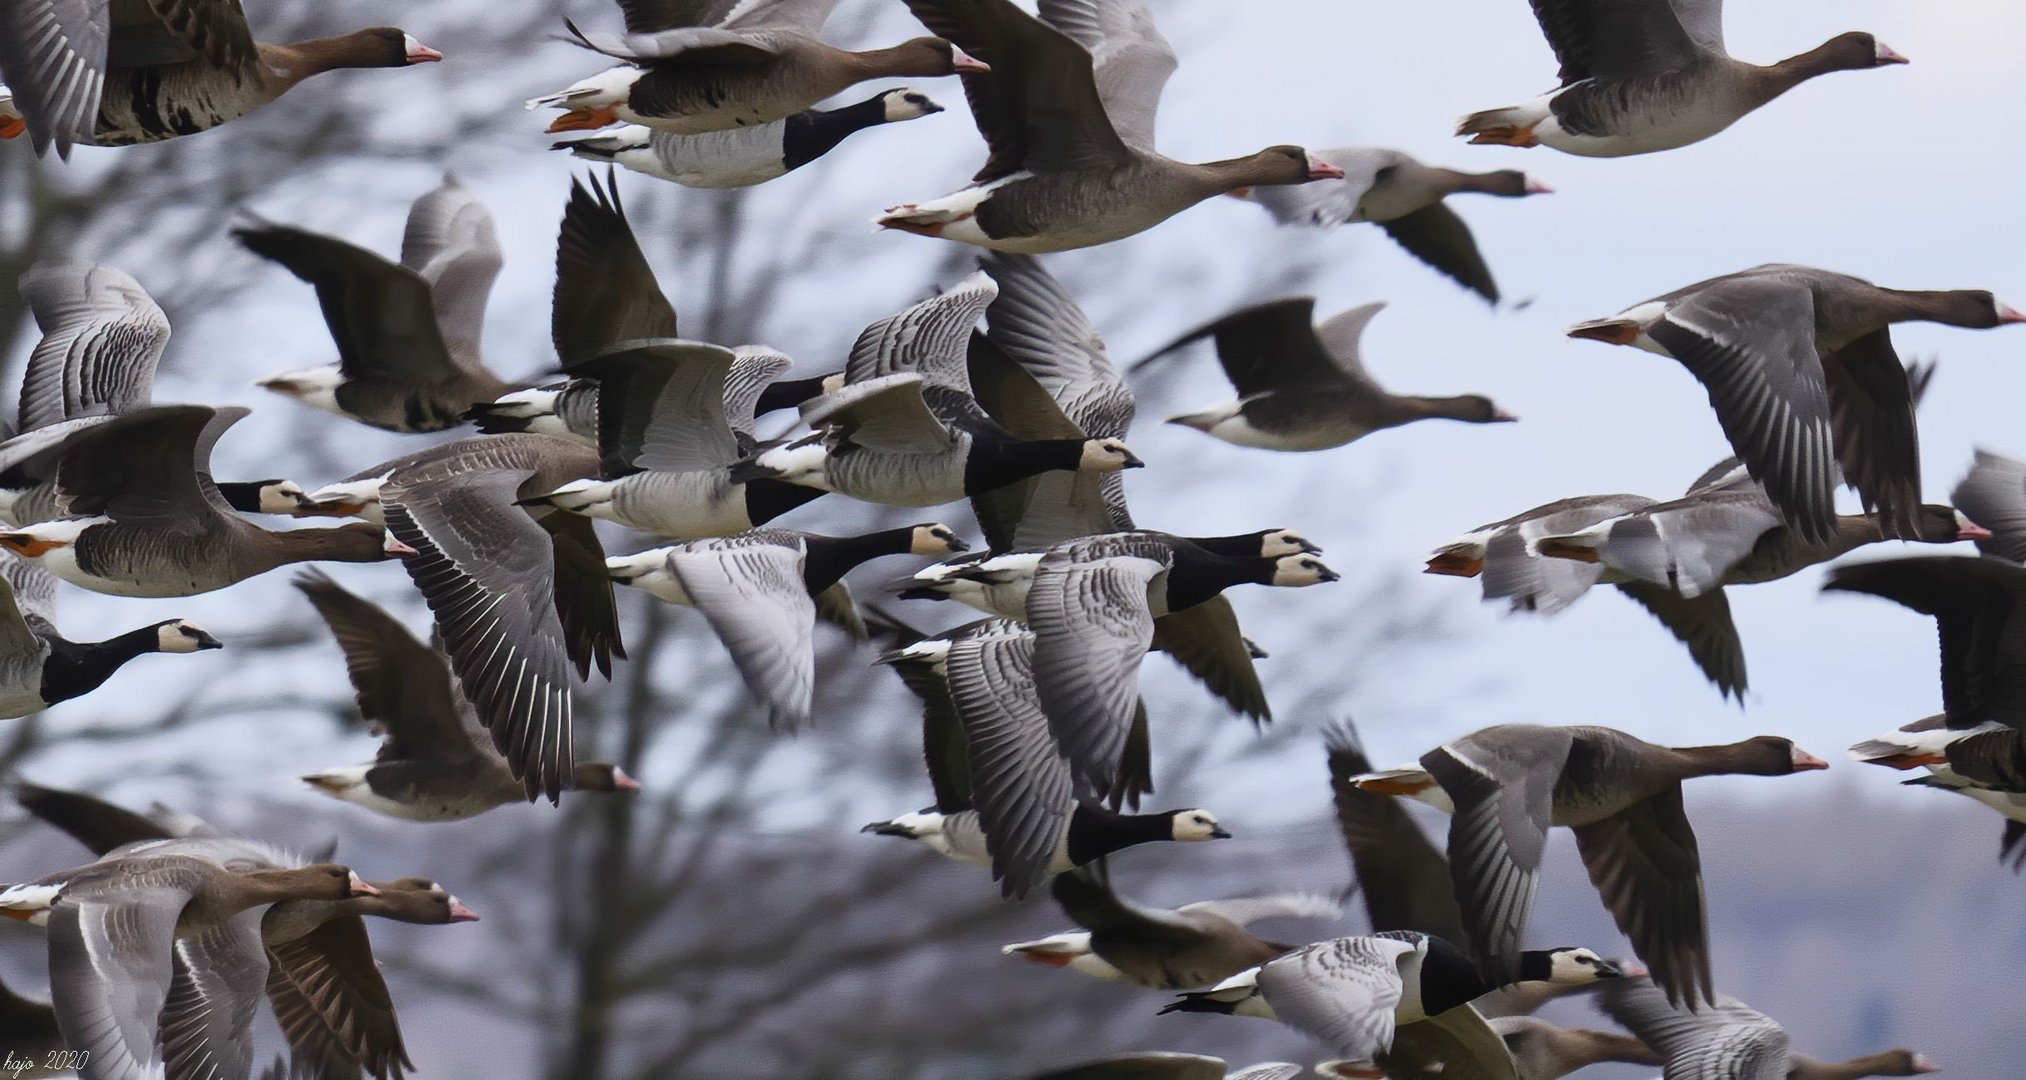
520, 593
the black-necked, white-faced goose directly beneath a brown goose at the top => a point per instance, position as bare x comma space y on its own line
745, 157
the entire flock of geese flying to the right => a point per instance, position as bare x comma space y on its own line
998, 392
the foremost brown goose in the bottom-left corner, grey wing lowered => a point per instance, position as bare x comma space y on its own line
119, 925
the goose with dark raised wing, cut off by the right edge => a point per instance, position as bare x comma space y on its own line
1978, 613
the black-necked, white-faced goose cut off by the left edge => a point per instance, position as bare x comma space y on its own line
42, 668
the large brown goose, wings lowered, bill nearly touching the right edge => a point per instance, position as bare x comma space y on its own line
1802, 374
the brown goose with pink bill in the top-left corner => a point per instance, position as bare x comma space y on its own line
127, 72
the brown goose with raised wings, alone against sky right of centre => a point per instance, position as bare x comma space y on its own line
1304, 386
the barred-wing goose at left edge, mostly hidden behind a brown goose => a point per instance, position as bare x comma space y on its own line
100, 348
